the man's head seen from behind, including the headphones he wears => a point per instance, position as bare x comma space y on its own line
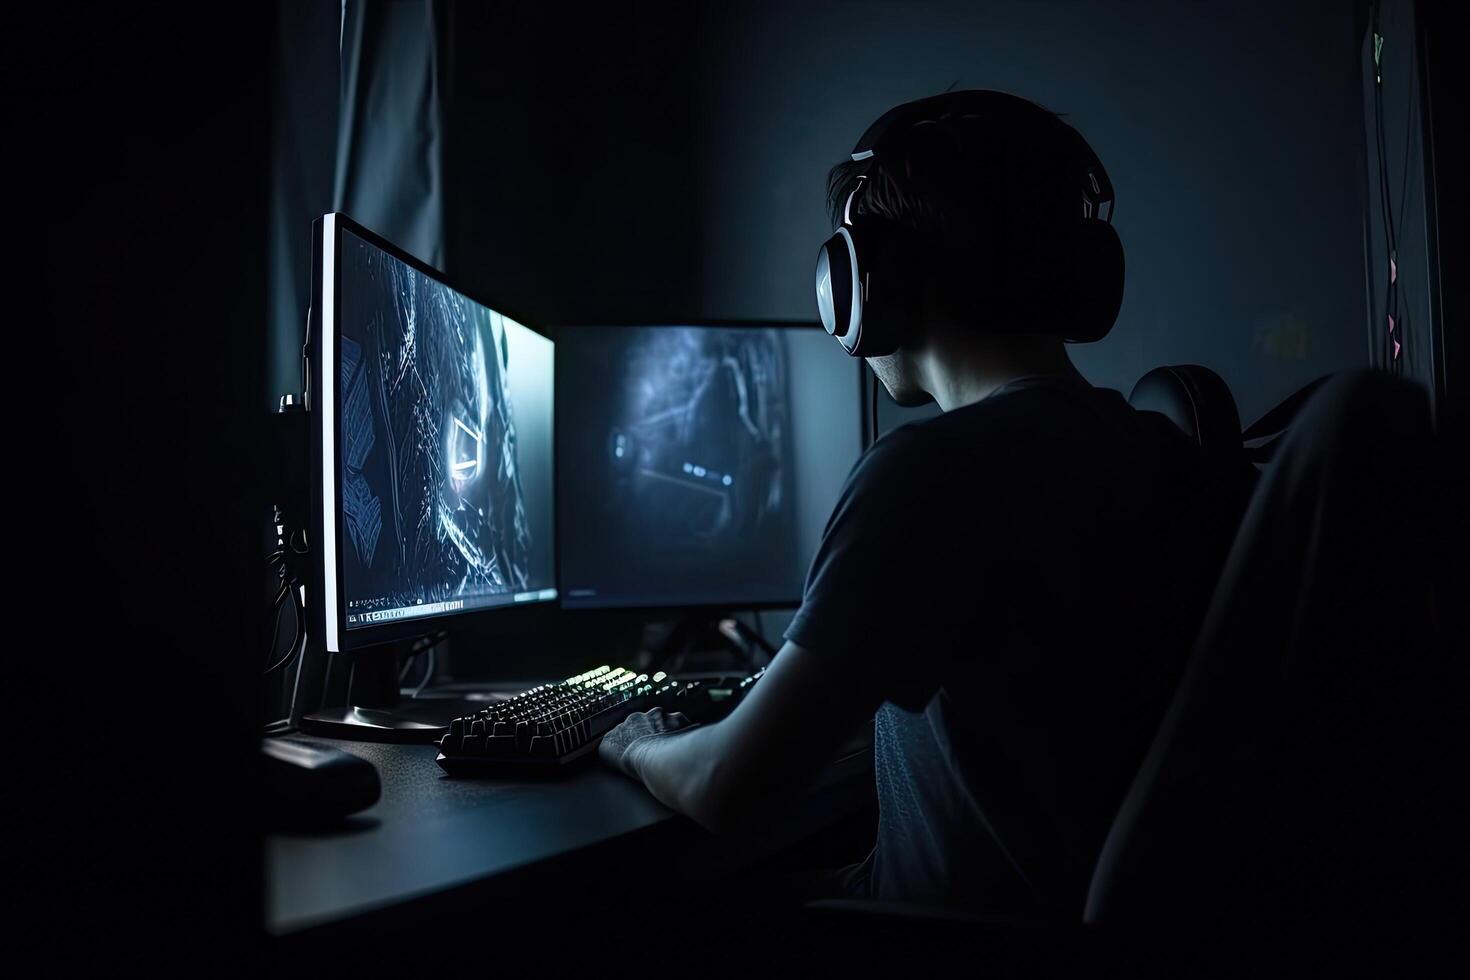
971, 208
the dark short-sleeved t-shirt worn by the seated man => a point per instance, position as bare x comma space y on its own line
1027, 575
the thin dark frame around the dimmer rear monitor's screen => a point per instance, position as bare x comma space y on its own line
576, 605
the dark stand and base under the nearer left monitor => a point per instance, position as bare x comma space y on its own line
377, 712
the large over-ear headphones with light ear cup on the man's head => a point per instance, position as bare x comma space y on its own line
871, 271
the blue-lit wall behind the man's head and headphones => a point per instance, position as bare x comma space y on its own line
1233, 134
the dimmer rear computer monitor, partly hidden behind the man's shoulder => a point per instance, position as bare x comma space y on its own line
699, 464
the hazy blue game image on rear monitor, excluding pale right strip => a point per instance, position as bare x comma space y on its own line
683, 437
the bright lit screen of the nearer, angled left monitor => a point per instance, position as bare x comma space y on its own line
443, 447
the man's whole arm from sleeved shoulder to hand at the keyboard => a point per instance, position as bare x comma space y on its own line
859, 606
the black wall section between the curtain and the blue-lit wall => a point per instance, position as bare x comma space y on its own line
573, 179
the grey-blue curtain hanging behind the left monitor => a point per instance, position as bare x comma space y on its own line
359, 109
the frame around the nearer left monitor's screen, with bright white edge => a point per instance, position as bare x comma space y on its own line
330, 616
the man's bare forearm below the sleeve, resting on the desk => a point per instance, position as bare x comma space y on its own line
771, 749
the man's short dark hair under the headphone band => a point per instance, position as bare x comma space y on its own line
975, 192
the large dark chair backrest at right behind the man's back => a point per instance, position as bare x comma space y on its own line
1297, 785
